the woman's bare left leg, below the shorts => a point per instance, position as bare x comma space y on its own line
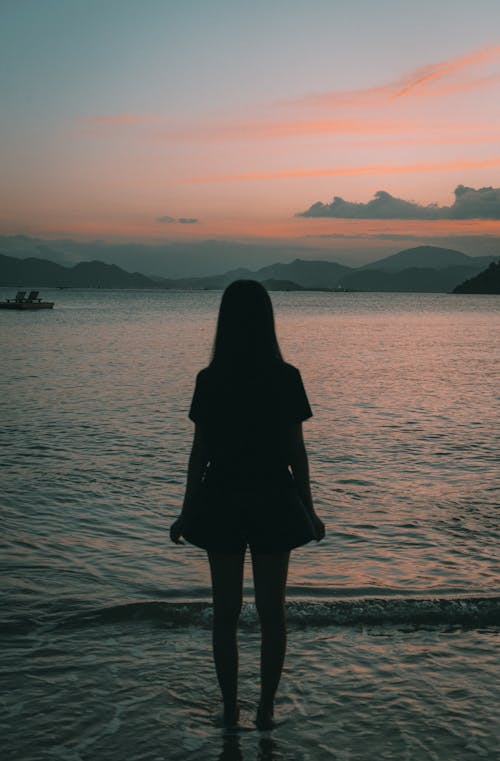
227, 589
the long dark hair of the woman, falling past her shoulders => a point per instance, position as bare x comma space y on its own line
245, 338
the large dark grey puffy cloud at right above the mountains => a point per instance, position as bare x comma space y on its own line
483, 203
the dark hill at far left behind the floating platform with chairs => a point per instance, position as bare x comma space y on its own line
40, 272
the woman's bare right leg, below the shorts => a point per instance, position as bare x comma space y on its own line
270, 573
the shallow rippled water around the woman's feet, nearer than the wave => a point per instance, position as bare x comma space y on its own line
144, 692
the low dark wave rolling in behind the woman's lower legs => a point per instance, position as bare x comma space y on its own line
469, 612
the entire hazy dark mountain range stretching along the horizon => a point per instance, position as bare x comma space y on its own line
419, 269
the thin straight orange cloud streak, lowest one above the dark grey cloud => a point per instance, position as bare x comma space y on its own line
379, 169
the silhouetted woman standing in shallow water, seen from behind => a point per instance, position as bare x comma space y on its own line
248, 483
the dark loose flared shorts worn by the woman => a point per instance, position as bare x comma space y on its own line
266, 516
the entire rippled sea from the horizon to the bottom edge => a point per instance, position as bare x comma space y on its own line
394, 618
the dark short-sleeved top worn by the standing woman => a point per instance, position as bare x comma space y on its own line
246, 419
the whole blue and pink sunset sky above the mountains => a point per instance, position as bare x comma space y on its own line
190, 120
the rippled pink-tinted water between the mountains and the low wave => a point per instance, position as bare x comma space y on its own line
403, 443
